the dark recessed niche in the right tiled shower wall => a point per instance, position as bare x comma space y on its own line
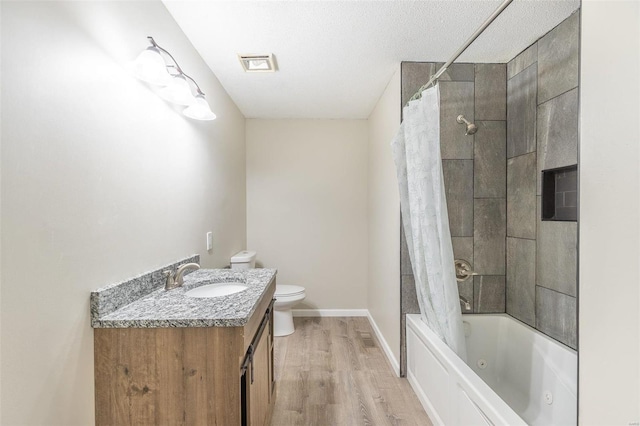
560, 194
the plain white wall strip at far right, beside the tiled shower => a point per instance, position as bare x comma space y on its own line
609, 317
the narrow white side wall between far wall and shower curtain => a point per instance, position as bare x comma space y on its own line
384, 219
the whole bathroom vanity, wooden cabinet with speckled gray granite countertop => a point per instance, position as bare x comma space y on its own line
167, 358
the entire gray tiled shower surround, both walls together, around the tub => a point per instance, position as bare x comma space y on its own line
527, 114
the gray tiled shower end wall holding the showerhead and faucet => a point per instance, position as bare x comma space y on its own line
474, 169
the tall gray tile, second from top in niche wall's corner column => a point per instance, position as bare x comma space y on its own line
521, 112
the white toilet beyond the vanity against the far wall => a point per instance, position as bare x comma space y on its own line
286, 295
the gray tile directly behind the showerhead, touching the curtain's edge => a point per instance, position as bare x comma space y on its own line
455, 98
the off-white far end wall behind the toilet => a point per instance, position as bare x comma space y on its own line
307, 206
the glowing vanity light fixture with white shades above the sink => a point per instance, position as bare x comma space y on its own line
151, 66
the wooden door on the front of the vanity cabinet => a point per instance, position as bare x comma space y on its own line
260, 388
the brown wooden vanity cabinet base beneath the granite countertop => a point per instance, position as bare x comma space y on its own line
186, 376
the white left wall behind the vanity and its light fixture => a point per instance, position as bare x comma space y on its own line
101, 180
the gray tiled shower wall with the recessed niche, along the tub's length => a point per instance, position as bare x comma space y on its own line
542, 133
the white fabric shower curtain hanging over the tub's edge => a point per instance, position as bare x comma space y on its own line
416, 151
